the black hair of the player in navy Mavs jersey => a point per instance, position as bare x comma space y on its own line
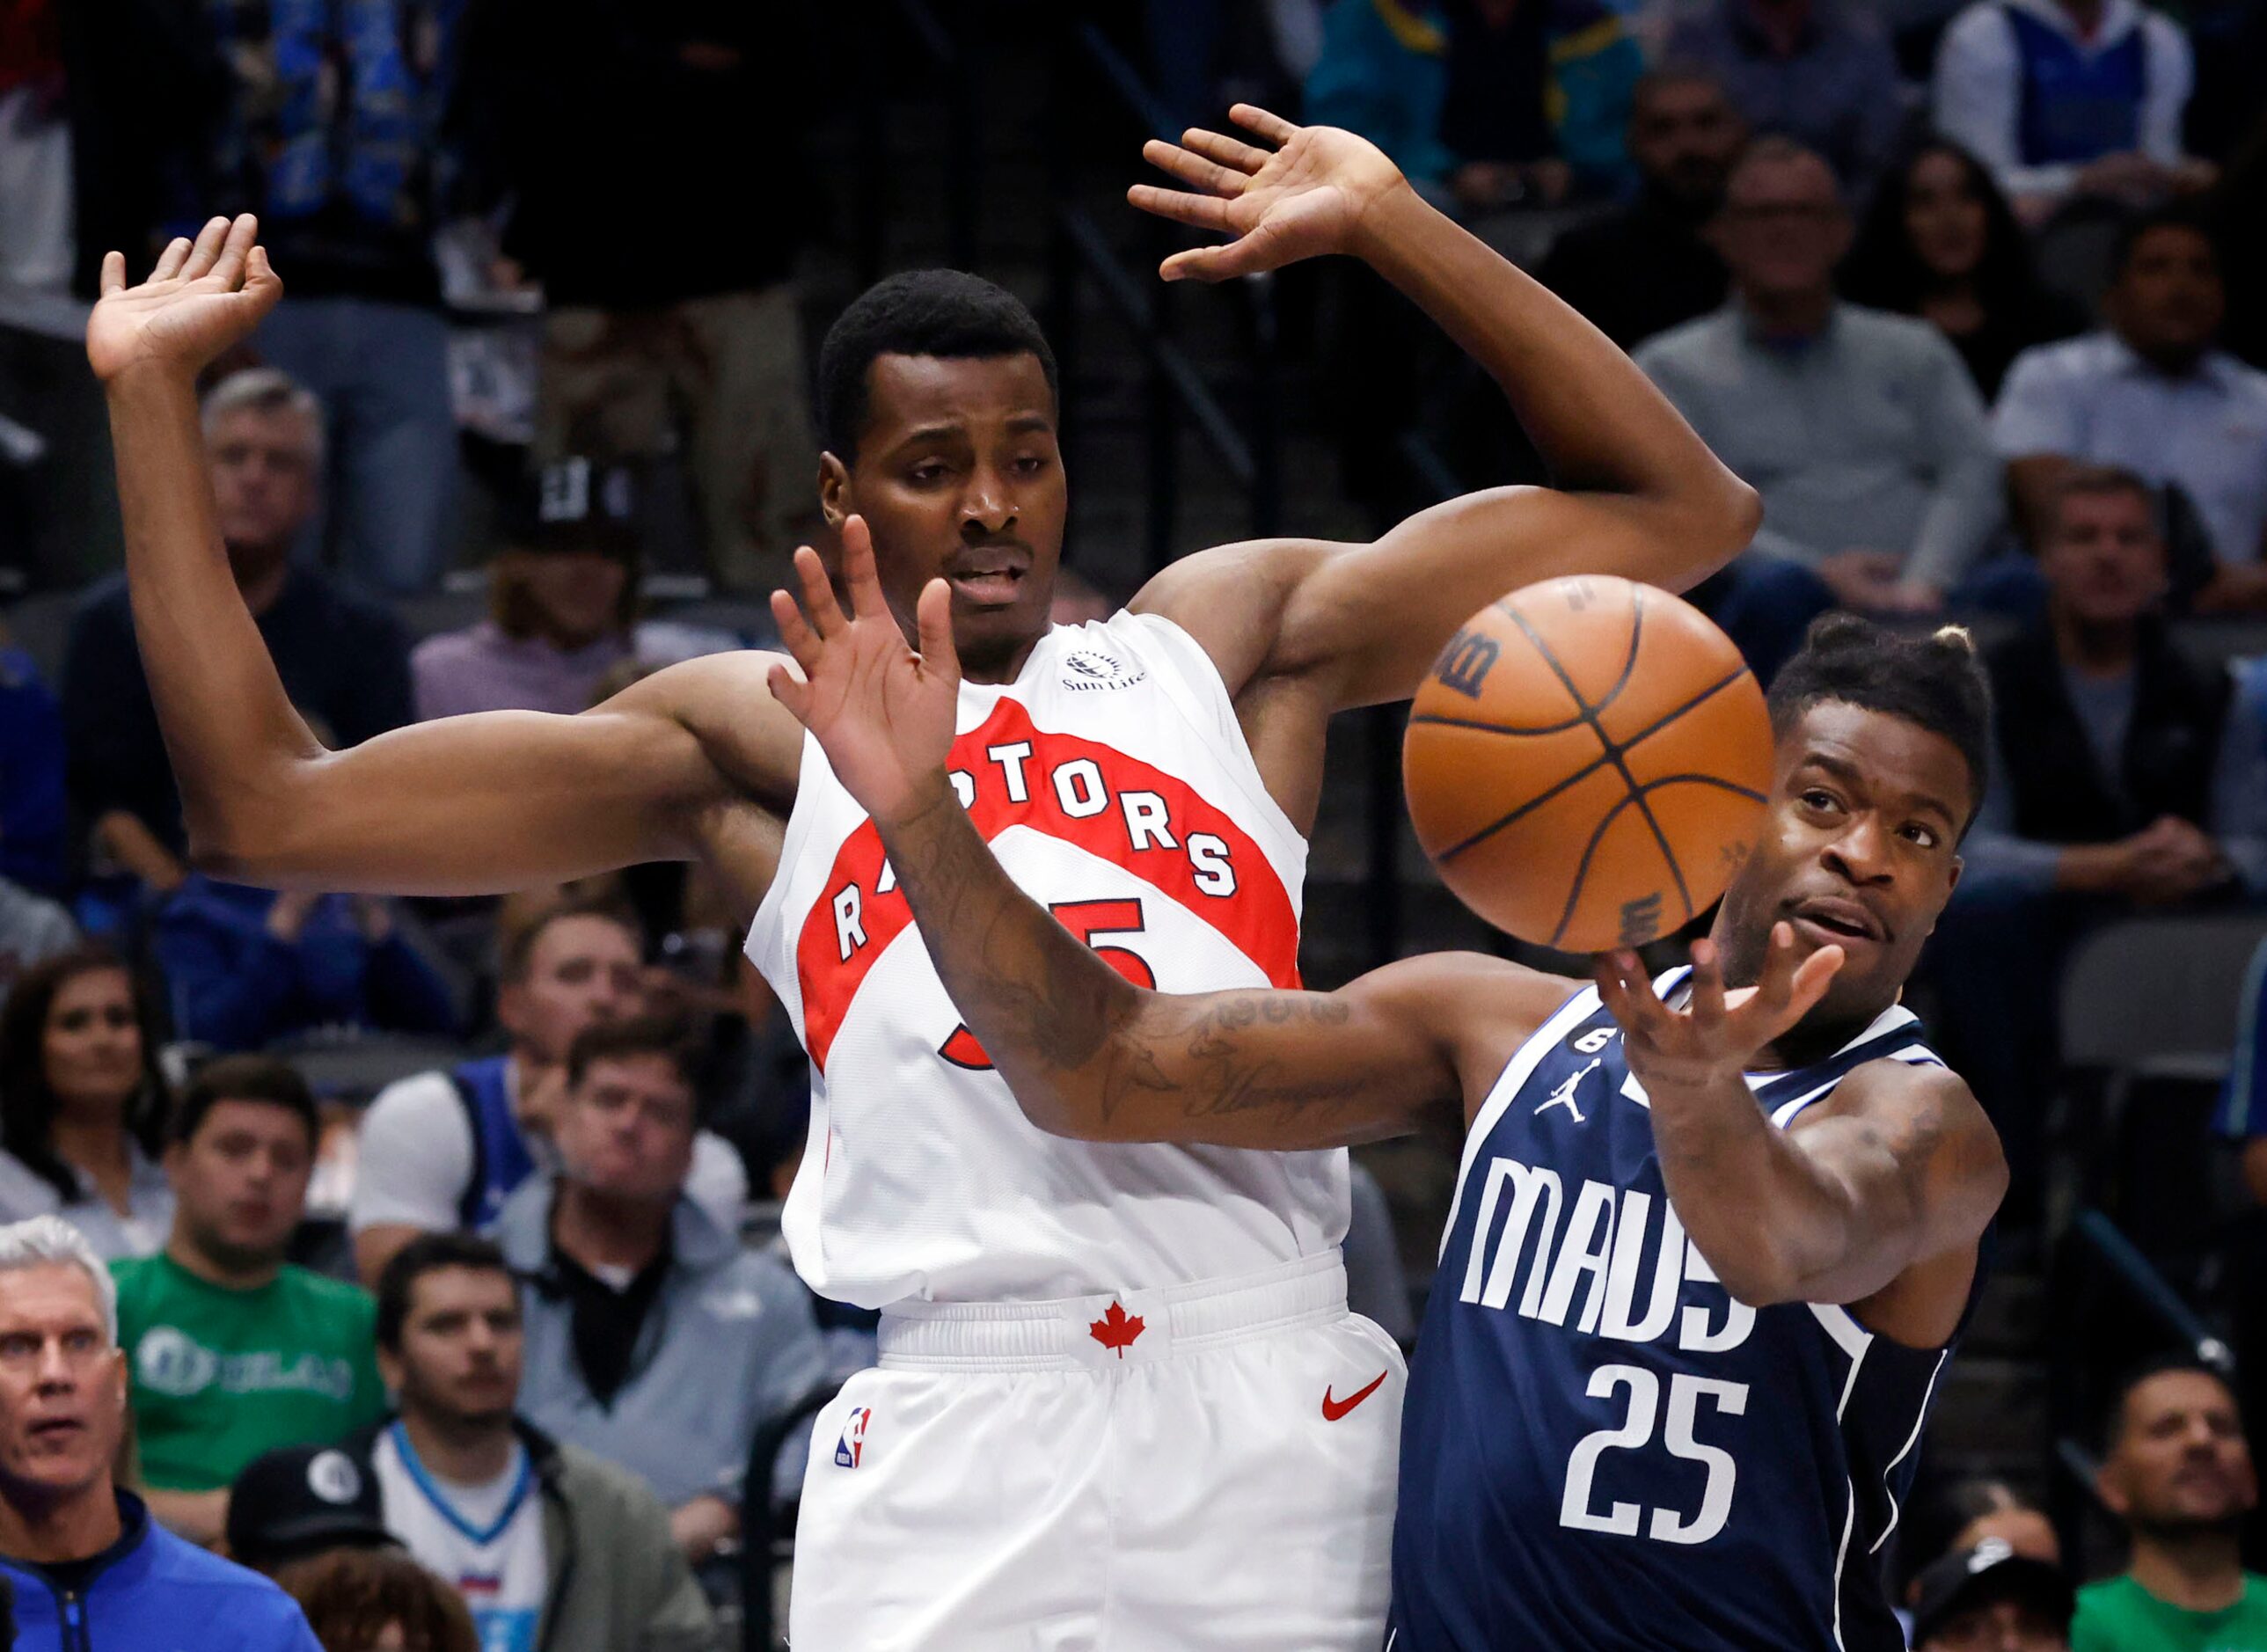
1935, 683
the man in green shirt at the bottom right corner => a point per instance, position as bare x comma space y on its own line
2180, 1474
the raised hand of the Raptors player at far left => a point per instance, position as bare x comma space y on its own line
201, 300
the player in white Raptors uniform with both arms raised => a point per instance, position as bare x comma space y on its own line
1121, 1402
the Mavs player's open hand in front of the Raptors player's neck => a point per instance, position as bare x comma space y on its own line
881, 710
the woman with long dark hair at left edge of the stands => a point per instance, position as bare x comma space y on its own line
83, 1102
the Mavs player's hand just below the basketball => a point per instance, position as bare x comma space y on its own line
1717, 1034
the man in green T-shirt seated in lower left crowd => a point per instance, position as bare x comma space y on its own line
232, 1349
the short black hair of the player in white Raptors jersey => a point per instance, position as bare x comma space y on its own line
917, 314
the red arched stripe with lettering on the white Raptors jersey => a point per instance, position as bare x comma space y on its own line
1255, 917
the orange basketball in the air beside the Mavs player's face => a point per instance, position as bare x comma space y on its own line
1588, 763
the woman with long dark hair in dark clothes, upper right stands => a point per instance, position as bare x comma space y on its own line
1942, 244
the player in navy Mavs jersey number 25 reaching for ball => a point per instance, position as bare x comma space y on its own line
1715, 1232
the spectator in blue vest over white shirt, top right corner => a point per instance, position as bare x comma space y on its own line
2071, 99
